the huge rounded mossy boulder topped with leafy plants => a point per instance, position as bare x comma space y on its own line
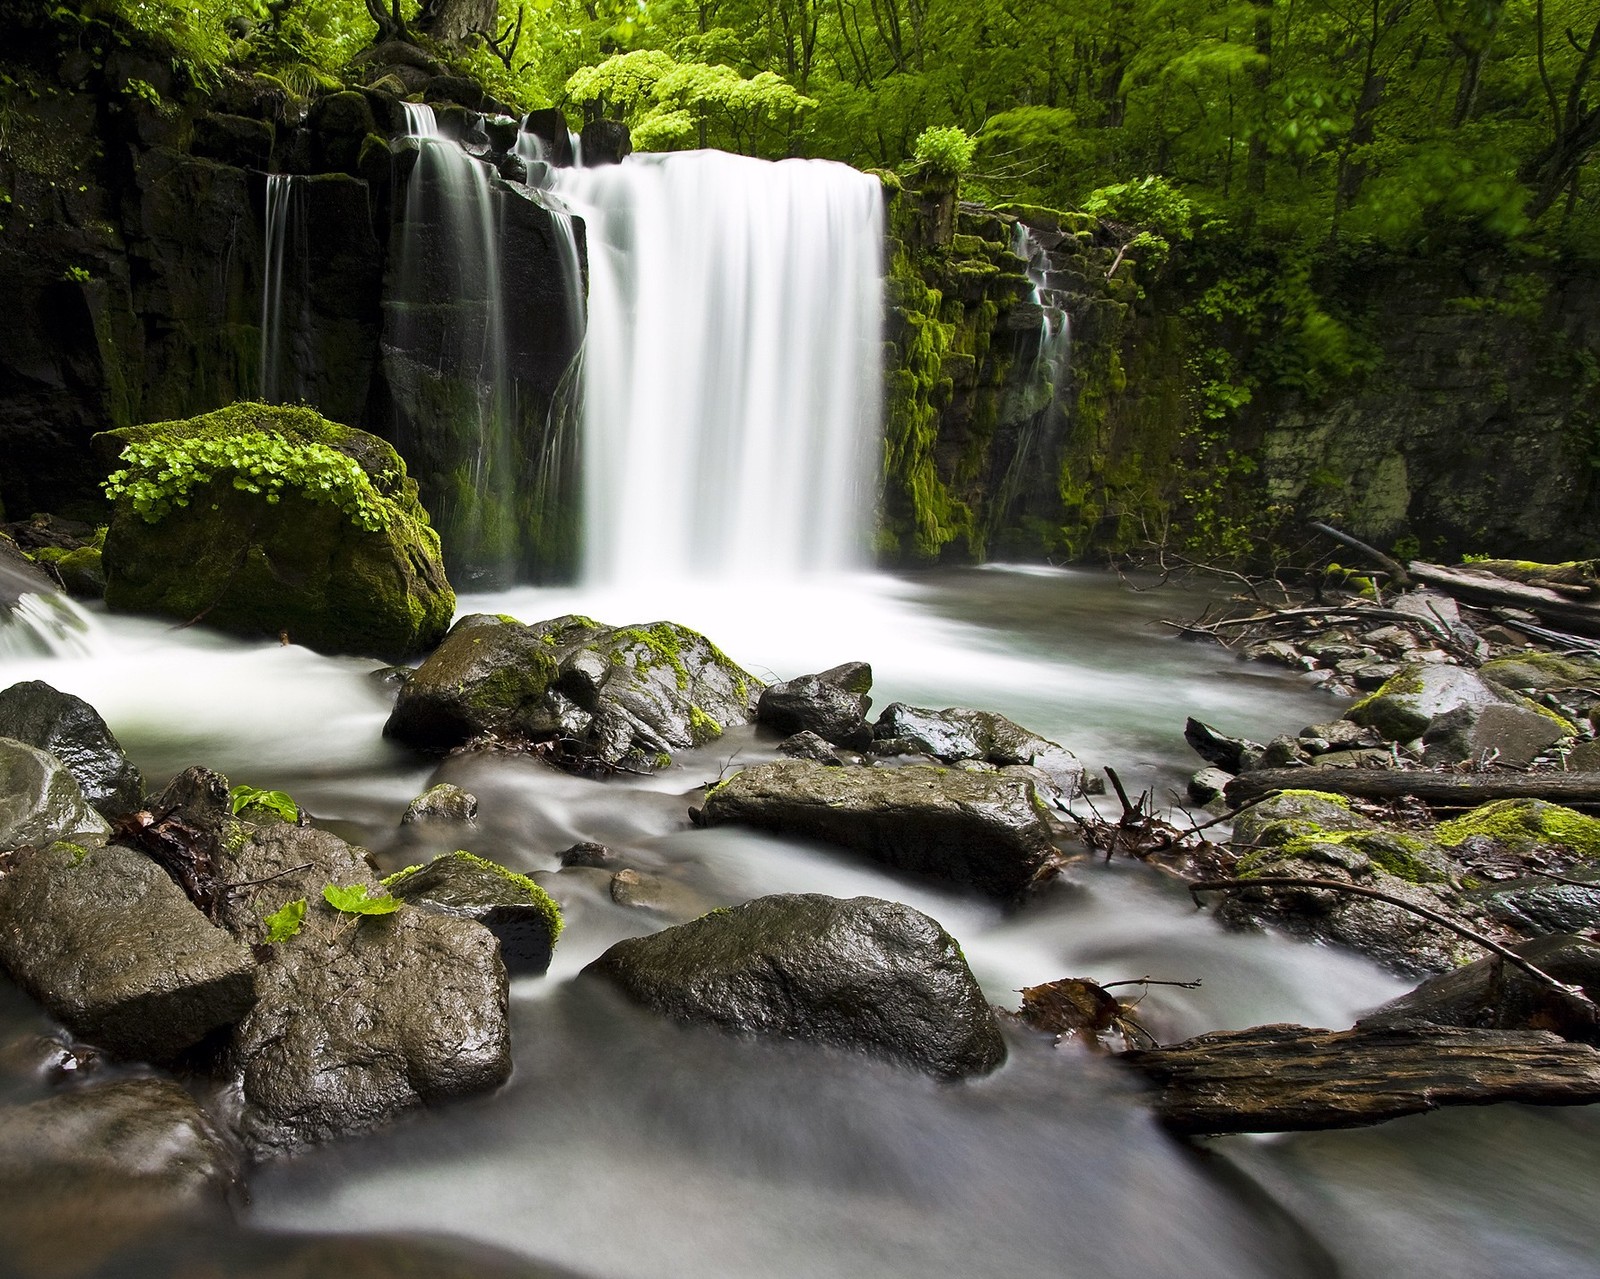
270, 521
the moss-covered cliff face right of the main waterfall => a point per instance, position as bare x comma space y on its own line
1473, 422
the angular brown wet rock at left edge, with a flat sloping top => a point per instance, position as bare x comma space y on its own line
113, 948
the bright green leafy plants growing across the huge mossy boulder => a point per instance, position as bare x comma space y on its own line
159, 475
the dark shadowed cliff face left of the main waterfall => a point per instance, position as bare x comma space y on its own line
134, 255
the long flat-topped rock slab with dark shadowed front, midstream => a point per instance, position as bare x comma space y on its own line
980, 830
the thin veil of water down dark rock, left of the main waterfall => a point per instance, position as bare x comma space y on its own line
446, 326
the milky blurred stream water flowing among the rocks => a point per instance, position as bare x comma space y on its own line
626, 1147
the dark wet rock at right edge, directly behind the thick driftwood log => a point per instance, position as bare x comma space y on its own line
1495, 995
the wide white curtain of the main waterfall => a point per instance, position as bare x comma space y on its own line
732, 367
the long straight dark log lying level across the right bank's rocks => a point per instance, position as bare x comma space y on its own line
1441, 790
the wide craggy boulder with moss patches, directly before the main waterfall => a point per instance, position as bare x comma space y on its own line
609, 696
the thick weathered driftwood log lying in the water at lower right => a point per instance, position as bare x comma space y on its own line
1294, 1078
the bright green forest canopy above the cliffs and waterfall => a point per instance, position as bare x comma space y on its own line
1415, 126
